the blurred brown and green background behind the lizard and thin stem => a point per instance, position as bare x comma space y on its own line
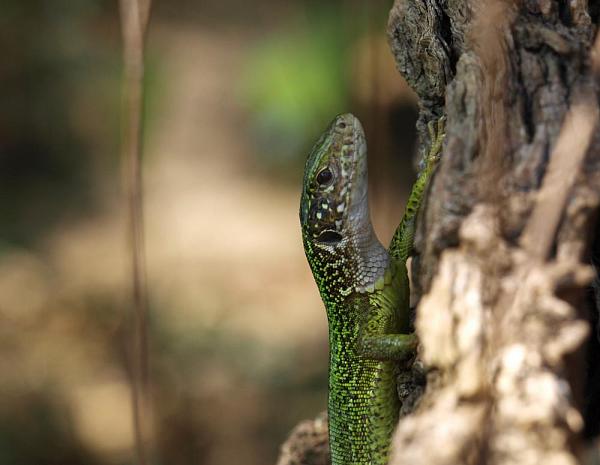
236, 93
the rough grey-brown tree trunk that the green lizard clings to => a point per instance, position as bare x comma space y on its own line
507, 236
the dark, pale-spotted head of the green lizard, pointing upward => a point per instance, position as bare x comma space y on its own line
341, 247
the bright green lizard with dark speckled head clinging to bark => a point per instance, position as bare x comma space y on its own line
364, 288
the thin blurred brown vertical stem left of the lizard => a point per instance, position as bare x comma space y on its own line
134, 22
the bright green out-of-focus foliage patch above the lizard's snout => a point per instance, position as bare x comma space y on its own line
295, 81
